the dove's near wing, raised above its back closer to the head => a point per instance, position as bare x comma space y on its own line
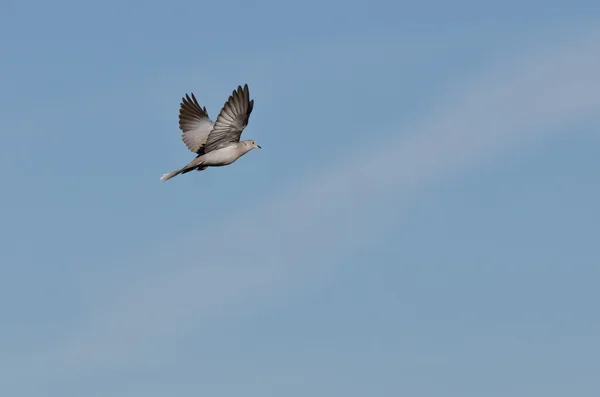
231, 121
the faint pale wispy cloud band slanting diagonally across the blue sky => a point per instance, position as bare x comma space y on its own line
305, 229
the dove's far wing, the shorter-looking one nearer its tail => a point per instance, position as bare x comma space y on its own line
194, 123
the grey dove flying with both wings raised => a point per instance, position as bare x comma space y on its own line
217, 143
